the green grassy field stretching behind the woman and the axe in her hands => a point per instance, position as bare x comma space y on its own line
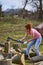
13, 27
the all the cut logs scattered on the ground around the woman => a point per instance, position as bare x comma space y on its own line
18, 56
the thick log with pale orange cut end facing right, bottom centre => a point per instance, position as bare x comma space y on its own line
19, 59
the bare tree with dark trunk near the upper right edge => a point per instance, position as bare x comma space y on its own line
38, 5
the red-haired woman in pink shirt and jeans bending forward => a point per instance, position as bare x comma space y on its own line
35, 40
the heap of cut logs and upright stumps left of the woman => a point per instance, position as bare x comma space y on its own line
17, 57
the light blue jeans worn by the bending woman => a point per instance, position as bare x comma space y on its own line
36, 44
